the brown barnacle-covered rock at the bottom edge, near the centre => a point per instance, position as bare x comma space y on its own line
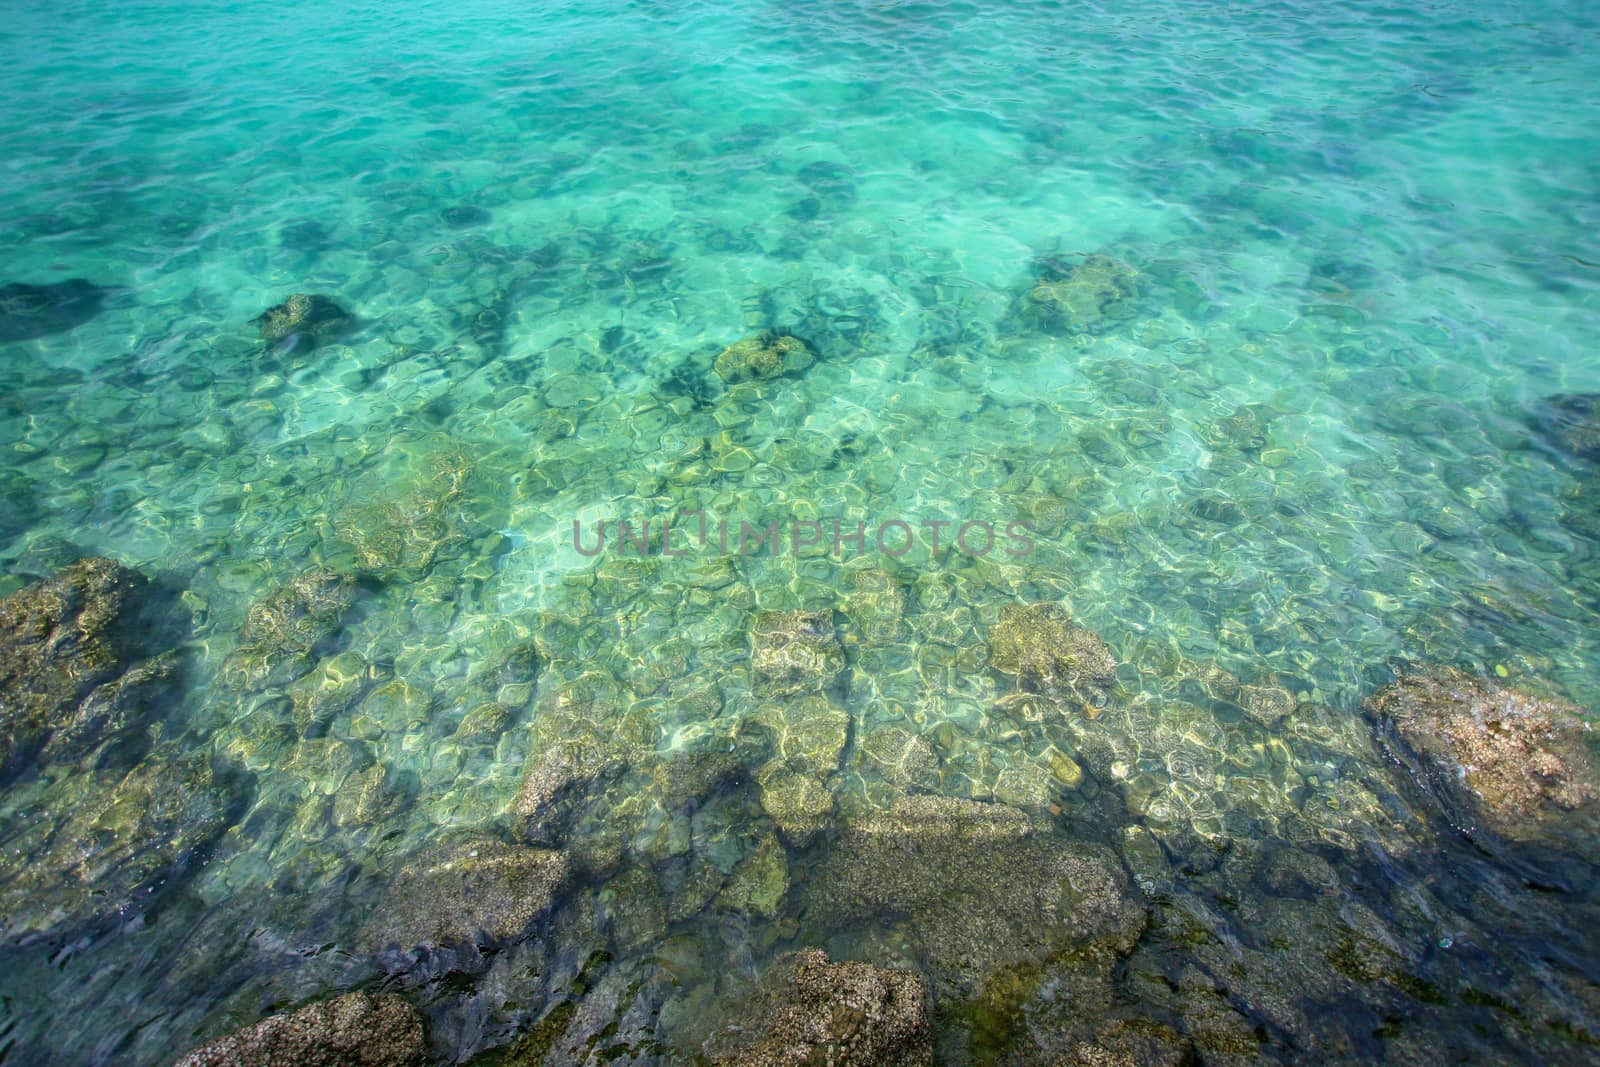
810, 1010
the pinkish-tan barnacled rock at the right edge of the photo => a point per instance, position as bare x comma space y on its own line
1521, 762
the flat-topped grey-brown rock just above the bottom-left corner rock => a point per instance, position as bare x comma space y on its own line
474, 893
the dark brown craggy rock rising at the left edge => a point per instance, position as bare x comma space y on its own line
60, 639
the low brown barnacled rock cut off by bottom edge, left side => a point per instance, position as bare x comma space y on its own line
351, 1031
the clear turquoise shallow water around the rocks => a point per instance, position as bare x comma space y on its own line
1300, 454
